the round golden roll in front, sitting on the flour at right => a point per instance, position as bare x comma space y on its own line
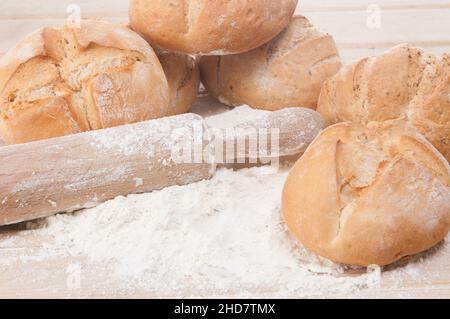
365, 195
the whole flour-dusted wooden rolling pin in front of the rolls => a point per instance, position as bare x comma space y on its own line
79, 171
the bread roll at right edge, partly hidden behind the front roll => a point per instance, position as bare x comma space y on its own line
403, 84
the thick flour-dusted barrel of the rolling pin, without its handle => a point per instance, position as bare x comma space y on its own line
80, 171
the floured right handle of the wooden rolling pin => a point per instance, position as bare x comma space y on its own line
293, 129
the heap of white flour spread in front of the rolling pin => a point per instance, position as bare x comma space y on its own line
222, 237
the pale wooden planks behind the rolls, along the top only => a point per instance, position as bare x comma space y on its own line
422, 22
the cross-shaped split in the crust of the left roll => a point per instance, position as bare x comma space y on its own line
70, 69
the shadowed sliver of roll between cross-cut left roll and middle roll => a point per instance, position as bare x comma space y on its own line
183, 76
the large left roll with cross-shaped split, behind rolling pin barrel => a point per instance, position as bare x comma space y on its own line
66, 80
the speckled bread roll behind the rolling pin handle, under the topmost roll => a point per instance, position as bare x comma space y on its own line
289, 71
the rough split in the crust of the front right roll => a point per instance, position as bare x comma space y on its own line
357, 171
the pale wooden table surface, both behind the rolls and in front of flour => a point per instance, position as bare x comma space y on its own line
354, 24
